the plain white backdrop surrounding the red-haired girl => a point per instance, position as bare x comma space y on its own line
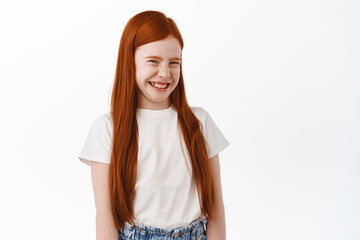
280, 79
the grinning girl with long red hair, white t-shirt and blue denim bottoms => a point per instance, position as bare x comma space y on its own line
154, 159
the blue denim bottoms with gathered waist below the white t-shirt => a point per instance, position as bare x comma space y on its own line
196, 230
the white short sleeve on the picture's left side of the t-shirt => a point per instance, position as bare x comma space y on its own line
97, 146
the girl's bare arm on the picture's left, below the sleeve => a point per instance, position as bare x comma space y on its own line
105, 227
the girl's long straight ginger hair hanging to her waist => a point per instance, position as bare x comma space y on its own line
143, 28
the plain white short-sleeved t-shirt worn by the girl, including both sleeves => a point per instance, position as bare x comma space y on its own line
165, 195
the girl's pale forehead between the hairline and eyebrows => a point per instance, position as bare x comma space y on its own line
167, 48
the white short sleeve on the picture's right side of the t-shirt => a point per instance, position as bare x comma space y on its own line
216, 141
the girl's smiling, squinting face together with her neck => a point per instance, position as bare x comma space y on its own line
157, 67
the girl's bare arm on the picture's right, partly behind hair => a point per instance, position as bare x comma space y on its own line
216, 229
